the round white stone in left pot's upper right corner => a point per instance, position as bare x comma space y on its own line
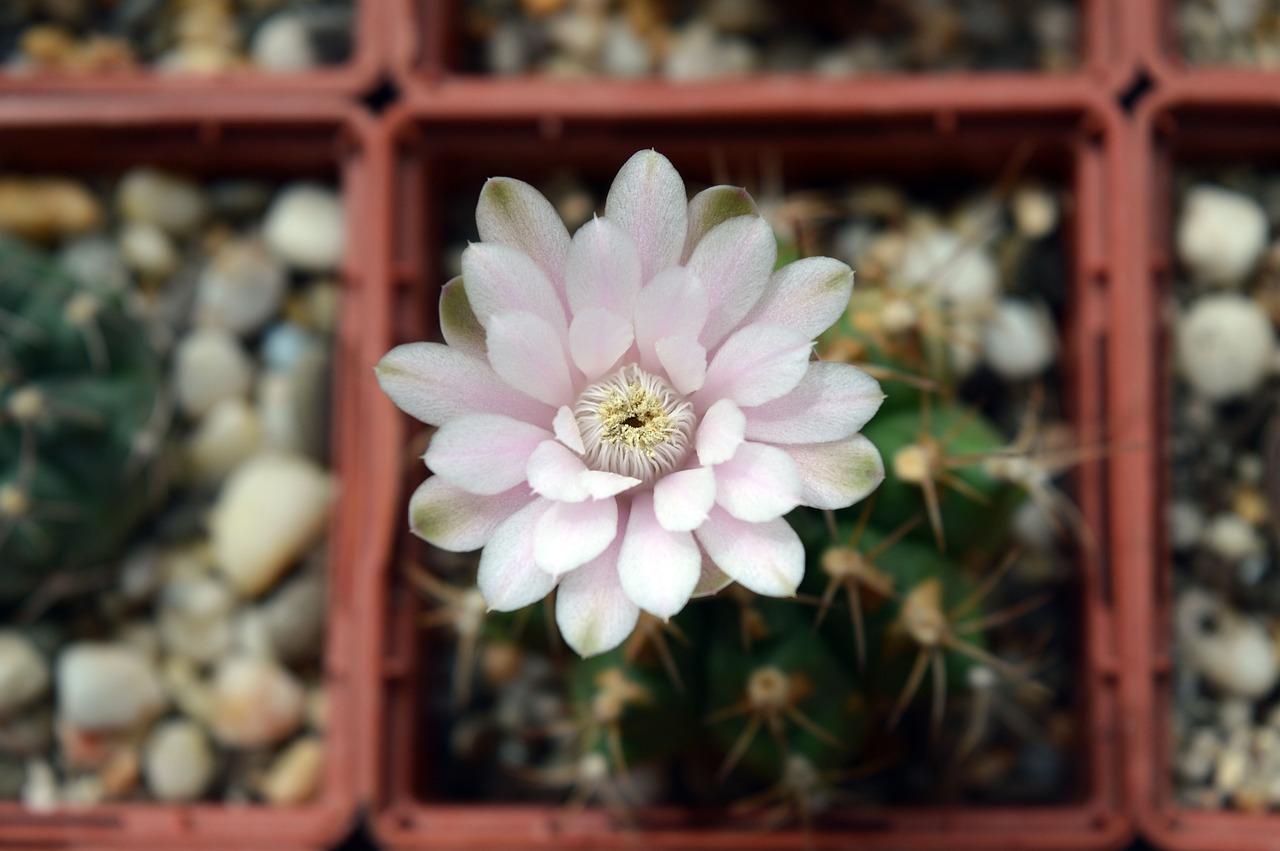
307, 228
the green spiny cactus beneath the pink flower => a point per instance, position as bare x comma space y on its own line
783, 702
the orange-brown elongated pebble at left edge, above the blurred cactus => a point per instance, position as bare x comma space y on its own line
43, 209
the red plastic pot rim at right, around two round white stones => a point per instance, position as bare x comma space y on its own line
1183, 125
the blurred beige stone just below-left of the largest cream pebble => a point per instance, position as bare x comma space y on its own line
195, 617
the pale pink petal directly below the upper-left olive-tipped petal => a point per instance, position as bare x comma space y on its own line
502, 281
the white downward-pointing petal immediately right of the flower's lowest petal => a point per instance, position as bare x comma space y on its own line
659, 569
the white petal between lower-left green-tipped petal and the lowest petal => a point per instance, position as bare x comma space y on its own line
509, 579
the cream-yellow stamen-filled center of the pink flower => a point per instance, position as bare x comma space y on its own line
634, 424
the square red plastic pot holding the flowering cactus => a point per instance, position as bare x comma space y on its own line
885, 131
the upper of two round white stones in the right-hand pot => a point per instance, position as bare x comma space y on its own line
1222, 235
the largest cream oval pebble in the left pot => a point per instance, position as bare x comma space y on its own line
269, 513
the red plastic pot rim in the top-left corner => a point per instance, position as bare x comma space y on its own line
354, 77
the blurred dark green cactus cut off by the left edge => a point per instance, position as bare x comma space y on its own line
81, 422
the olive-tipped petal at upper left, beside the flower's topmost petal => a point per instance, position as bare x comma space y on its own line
515, 214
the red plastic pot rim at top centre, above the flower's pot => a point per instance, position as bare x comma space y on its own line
424, 54
